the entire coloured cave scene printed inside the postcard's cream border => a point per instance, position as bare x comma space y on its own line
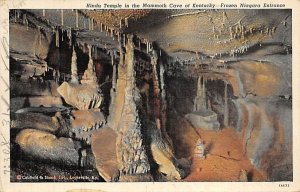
151, 95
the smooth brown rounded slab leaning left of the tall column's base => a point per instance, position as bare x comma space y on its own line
104, 149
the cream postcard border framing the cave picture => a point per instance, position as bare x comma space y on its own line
5, 184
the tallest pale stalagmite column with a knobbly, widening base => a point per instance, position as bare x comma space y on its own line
131, 153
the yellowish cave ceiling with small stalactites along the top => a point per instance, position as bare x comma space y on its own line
183, 34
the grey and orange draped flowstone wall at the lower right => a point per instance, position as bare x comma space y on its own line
265, 127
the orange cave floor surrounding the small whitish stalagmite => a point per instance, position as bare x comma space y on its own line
225, 157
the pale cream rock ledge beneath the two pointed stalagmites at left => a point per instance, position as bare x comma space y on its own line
82, 97
